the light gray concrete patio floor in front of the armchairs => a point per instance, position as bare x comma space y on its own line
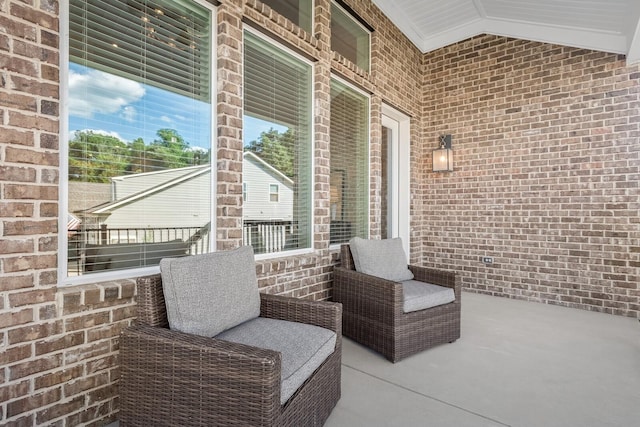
517, 363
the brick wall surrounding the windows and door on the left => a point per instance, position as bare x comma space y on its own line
59, 359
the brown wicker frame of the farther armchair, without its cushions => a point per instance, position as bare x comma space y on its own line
373, 311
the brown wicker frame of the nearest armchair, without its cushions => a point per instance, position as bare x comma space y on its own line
170, 378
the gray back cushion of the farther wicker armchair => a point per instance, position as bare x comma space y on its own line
381, 258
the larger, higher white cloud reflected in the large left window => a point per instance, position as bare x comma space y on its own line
100, 92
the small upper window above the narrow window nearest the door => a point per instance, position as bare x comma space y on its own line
349, 37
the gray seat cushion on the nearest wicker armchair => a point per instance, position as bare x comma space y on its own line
303, 347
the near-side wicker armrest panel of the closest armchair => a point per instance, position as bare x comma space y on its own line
170, 371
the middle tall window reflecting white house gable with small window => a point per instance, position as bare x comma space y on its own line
277, 147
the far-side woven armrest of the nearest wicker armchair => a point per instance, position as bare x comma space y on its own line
320, 313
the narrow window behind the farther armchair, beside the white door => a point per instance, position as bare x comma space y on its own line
349, 152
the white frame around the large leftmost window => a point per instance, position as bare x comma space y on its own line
63, 202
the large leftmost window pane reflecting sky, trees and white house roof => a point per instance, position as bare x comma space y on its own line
139, 128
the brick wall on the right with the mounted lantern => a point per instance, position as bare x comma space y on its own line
547, 166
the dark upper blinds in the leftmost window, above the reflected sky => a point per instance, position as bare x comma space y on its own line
170, 39
